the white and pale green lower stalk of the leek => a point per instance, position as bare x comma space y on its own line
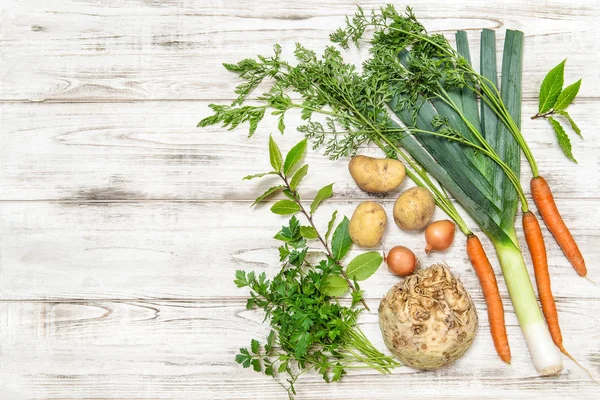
545, 355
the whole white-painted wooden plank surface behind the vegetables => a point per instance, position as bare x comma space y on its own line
121, 224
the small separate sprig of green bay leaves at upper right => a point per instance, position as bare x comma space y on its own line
554, 100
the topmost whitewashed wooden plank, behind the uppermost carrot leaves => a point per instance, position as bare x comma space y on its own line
117, 50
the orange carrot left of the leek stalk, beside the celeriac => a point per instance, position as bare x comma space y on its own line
487, 280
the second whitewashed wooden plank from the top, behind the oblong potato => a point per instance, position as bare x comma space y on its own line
153, 150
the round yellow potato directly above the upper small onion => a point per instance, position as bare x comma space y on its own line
413, 209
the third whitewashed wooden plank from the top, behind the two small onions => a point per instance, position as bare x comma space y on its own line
182, 250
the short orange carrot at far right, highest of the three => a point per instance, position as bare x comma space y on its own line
542, 196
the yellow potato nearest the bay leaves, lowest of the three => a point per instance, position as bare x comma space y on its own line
367, 224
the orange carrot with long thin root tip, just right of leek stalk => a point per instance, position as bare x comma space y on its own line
537, 249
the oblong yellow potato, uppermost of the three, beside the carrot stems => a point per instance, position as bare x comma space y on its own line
376, 175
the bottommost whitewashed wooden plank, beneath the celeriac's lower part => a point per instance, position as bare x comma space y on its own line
168, 350
